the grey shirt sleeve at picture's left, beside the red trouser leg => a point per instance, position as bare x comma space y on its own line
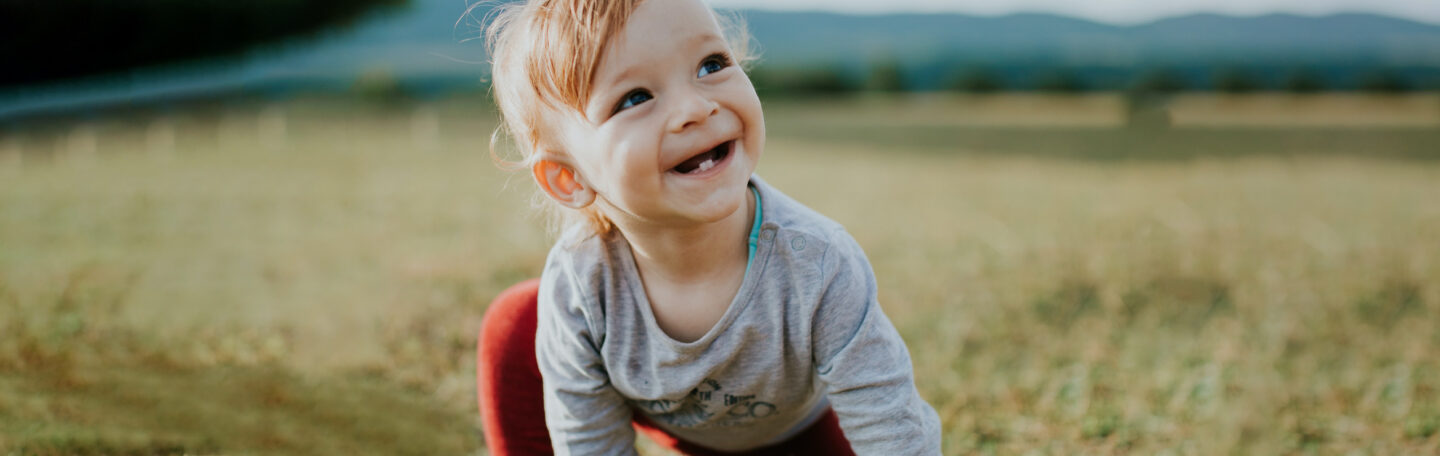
584, 412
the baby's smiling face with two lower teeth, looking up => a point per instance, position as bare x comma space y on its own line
673, 127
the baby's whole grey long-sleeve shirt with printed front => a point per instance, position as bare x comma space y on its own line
804, 333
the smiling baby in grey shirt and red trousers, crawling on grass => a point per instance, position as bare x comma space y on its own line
686, 300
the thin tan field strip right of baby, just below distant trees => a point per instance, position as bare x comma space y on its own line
1108, 111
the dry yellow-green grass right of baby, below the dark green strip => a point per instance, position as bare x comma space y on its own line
1209, 307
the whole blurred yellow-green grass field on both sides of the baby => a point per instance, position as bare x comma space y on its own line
307, 278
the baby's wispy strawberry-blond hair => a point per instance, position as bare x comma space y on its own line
545, 55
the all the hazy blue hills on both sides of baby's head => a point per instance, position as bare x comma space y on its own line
421, 50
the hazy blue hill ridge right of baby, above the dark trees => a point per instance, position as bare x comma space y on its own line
822, 37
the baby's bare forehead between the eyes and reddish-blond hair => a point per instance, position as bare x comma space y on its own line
656, 31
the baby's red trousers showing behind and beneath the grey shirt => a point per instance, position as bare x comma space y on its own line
512, 403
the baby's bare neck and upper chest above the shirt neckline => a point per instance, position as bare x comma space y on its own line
692, 254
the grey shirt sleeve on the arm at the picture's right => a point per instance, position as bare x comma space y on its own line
865, 363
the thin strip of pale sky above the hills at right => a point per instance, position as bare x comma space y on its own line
1118, 12
